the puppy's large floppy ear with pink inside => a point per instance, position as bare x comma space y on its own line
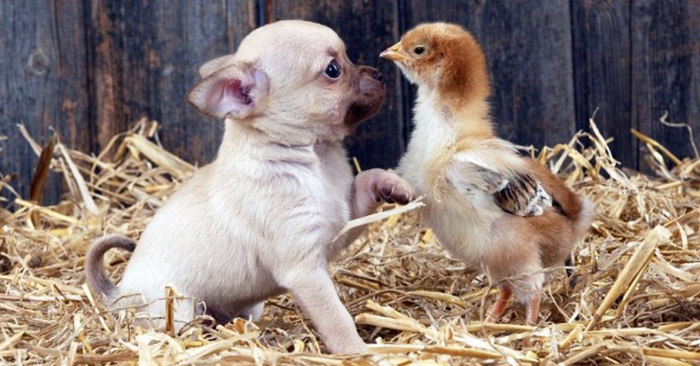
236, 91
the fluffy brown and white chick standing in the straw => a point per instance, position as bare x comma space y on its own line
488, 205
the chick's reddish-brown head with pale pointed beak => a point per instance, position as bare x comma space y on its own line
444, 58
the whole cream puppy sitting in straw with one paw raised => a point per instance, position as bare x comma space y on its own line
259, 220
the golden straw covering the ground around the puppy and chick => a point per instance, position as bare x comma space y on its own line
636, 300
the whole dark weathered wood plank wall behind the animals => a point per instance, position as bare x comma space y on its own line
90, 68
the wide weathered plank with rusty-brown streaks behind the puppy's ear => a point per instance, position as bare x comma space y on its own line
145, 60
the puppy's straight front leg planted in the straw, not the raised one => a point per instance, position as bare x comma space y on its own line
314, 292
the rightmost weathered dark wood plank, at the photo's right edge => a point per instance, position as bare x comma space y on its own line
666, 71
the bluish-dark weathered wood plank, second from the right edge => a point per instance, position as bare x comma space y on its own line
602, 70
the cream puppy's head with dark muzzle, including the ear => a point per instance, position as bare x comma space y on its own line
290, 79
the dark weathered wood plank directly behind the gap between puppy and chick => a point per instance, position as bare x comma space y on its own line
367, 28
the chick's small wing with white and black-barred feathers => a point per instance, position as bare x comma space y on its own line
502, 175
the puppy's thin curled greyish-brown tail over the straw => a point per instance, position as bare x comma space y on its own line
94, 265
